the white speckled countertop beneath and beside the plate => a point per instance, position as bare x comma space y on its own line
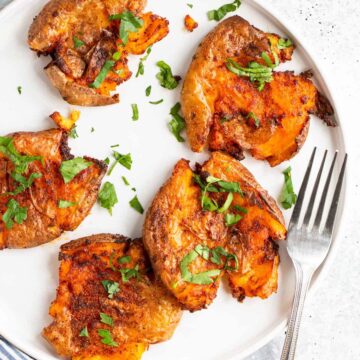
331, 324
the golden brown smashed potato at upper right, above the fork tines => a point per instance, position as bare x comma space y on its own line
228, 112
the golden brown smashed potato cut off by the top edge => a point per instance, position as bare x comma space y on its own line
82, 41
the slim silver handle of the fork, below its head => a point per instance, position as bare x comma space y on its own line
303, 279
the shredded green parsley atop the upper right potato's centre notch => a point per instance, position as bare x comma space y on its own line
254, 71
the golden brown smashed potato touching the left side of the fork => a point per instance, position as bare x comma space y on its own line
178, 223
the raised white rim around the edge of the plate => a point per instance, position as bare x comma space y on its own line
326, 83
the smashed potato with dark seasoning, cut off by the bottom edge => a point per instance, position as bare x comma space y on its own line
111, 275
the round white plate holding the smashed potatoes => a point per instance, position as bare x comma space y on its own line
28, 278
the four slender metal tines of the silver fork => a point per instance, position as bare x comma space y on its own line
330, 220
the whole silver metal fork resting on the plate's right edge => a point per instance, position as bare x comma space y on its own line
308, 244
